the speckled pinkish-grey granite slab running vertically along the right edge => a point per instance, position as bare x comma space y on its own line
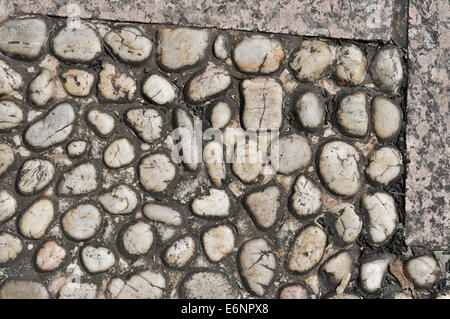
427, 185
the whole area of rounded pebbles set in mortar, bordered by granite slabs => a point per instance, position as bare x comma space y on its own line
93, 206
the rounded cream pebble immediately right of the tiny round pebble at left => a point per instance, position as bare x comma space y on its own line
119, 153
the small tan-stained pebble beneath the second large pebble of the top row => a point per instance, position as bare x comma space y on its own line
78, 82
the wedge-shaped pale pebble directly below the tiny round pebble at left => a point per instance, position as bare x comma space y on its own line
79, 181
